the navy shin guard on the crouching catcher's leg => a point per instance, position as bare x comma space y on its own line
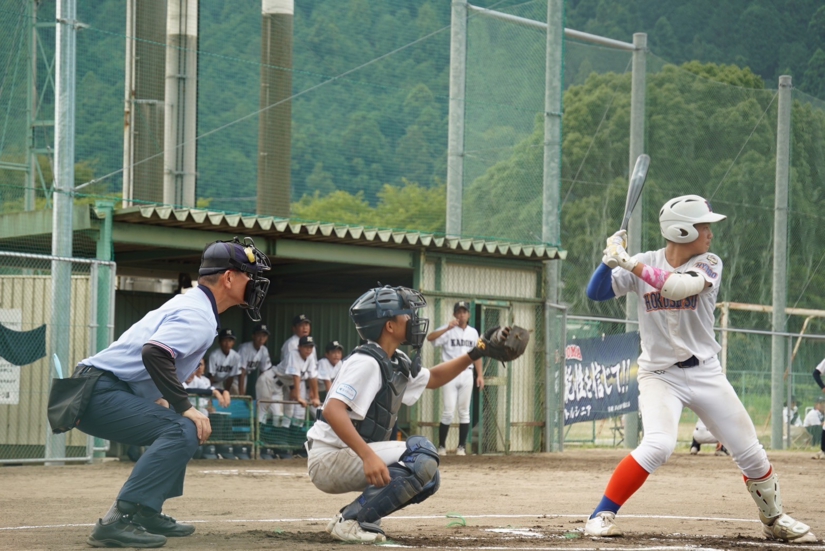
414, 479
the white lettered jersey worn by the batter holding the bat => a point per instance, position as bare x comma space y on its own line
673, 330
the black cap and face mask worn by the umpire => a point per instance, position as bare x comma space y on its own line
245, 257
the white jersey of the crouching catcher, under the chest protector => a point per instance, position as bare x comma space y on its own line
357, 385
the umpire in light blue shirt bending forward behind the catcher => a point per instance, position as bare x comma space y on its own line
139, 376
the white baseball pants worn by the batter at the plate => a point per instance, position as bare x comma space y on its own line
705, 390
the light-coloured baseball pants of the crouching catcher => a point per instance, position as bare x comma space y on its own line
340, 470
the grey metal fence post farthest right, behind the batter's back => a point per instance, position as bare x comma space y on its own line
780, 251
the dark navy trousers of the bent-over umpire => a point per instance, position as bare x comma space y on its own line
115, 413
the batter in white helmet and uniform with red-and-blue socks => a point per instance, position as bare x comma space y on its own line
677, 288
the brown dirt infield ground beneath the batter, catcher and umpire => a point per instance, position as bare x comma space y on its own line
517, 502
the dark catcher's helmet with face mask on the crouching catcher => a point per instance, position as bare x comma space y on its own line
377, 306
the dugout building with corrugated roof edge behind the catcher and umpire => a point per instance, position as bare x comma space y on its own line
318, 270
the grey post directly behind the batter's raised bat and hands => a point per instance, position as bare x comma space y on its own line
634, 229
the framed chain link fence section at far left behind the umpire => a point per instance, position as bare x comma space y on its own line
39, 322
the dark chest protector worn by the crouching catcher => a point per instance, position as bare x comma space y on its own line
382, 413
